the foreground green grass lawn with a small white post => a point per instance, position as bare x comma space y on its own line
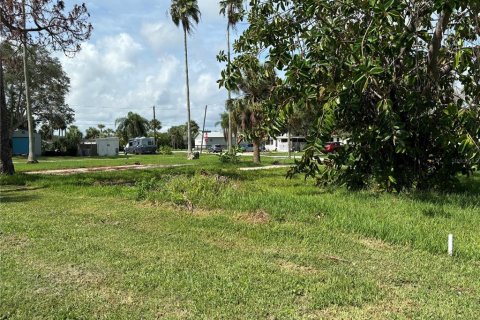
207, 241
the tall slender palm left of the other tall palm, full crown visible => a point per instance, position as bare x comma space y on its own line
186, 12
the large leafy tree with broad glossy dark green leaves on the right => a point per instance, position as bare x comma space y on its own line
387, 72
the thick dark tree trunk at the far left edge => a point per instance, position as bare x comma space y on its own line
6, 163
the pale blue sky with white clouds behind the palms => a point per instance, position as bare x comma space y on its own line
134, 60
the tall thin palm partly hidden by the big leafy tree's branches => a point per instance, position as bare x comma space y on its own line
233, 10
